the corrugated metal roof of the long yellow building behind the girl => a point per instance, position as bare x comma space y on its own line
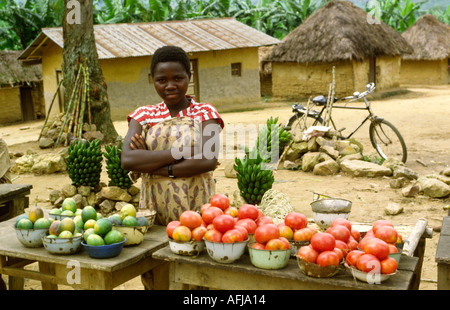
142, 39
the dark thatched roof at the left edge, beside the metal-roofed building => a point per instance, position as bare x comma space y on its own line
13, 72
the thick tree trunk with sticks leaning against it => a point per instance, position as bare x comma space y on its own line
79, 46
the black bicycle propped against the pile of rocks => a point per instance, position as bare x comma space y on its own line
384, 137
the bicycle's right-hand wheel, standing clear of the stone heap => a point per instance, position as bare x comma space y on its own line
387, 140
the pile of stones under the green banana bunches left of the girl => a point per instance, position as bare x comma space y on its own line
107, 199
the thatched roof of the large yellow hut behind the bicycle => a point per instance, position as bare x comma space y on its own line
339, 31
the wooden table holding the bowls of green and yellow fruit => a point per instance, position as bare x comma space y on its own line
93, 273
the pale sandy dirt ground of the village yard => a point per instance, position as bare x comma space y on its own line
420, 114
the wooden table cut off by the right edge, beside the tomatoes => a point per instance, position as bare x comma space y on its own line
442, 257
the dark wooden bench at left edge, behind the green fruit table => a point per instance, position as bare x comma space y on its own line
13, 200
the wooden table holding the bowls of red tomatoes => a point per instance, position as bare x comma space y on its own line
242, 275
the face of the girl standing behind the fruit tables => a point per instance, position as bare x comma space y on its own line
171, 82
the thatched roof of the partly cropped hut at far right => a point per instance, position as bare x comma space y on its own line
430, 39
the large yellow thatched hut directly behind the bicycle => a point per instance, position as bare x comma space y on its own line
360, 47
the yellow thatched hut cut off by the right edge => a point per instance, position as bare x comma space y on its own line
429, 63
